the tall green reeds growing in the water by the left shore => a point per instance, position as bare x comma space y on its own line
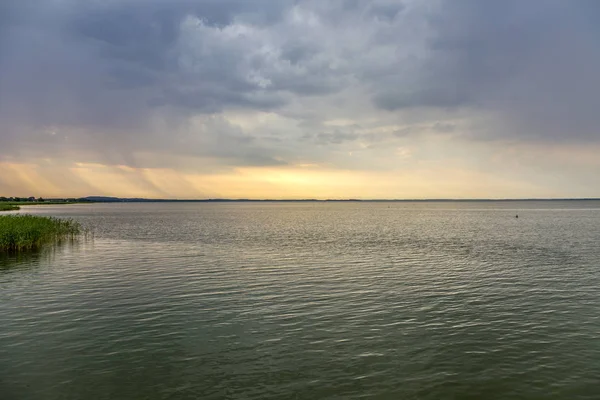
23, 232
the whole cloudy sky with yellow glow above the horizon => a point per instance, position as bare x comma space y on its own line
300, 99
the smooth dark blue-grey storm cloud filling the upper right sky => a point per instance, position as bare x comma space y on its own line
533, 65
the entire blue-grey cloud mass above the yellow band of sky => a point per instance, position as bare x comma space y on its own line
119, 77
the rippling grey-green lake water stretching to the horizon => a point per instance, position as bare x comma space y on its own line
308, 301
